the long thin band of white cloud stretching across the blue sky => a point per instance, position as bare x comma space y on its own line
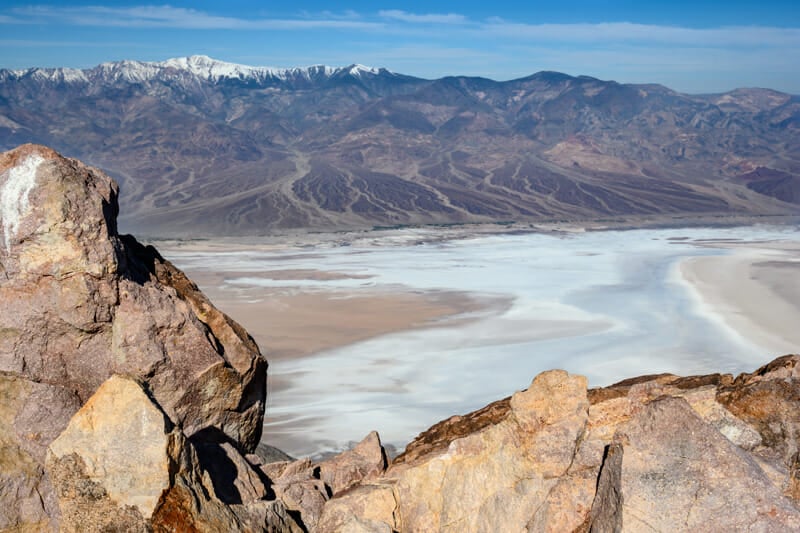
397, 23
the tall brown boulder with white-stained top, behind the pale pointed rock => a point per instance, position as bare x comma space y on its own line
82, 303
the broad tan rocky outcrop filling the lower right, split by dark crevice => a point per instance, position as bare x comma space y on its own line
656, 453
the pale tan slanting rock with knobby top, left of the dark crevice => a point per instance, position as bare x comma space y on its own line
493, 478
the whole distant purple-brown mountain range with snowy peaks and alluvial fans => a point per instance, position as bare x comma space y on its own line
204, 147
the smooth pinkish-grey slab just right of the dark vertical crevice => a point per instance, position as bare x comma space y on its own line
680, 474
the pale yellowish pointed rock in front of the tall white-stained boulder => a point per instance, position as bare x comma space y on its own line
112, 462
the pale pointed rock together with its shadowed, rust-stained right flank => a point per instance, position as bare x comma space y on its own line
122, 465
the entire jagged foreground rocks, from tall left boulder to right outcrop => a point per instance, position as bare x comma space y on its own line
128, 402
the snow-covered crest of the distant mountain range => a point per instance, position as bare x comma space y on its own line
197, 66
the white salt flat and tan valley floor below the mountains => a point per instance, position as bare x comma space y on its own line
410, 326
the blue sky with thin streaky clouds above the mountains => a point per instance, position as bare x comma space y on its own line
692, 46
